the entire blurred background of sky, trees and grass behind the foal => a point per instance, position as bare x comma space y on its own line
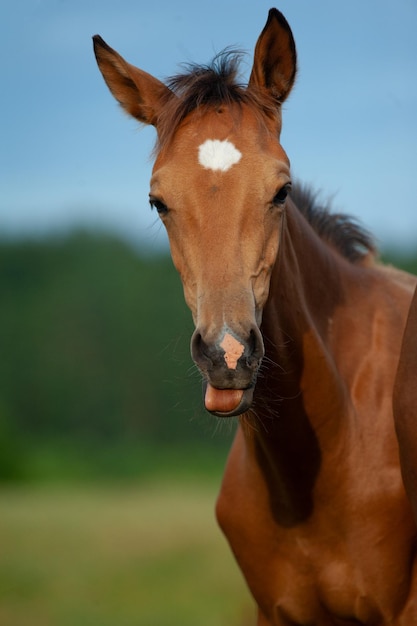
109, 467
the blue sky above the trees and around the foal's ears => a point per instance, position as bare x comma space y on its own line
68, 156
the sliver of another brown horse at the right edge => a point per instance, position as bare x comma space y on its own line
405, 405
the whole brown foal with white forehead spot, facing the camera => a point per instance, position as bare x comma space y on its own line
297, 331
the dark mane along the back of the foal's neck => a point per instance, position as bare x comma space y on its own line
341, 231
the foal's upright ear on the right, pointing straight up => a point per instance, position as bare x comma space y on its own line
275, 59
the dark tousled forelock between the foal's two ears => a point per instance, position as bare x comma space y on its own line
209, 86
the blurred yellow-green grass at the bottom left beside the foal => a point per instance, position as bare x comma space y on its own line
133, 555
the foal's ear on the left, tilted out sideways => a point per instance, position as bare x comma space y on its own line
139, 93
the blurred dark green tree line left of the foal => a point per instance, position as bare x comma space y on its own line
94, 341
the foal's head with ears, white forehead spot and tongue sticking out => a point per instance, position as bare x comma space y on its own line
219, 184
